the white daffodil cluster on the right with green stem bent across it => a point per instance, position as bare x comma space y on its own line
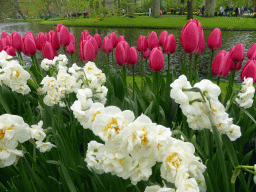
203, 115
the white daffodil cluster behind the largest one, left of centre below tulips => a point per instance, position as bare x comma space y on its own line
85, 81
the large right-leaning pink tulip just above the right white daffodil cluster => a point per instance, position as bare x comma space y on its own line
220, 66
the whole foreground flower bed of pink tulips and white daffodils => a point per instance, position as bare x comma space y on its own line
70, 127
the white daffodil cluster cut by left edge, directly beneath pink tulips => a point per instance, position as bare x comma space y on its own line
13, 75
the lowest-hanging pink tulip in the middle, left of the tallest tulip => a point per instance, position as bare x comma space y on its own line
156, 60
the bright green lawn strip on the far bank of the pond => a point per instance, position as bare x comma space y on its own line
167, 21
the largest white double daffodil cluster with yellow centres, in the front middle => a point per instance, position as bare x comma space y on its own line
133, 146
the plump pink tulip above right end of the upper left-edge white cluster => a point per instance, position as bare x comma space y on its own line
28, 45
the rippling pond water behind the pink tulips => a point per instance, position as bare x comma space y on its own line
229, 39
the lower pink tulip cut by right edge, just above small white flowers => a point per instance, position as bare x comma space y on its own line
249, 70
